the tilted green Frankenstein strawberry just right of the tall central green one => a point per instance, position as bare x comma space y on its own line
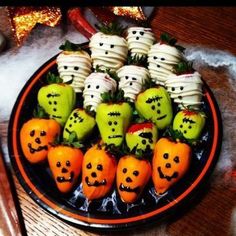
155, 104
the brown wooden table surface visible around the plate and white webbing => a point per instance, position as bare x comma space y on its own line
213, 27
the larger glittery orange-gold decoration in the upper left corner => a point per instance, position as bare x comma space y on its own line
24, 19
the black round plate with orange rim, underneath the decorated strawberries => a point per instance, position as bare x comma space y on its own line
109, 212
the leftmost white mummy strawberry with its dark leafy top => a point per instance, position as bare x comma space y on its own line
74, 65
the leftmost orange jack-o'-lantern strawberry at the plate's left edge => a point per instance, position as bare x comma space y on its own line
36, 136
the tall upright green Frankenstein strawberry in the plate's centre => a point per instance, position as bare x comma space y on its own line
113, 121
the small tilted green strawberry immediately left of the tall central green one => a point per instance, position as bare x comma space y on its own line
80, 122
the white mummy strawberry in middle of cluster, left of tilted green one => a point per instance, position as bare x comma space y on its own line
132, 79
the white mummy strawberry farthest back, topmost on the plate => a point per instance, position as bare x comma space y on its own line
140, 40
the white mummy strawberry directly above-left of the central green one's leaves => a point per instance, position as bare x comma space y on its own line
96, 84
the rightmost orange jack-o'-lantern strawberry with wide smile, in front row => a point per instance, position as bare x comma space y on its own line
170, 162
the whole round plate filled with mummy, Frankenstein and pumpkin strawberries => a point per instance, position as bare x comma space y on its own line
116, 132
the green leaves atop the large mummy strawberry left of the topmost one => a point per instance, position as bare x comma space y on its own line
113, 28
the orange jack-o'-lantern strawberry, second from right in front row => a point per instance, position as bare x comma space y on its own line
132, 176
